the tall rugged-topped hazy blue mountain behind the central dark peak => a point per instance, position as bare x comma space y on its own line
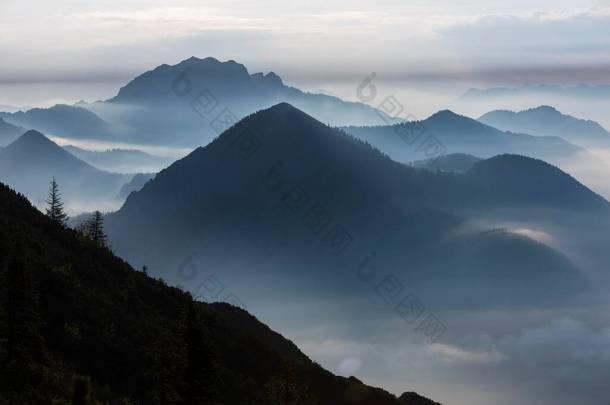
192, 102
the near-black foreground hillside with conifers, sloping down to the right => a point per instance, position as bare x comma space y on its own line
80, 326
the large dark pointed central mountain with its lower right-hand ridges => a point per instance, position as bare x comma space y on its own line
278, 188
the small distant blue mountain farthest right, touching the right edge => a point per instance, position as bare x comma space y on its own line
547, 121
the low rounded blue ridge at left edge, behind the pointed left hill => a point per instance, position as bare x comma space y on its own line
63, 120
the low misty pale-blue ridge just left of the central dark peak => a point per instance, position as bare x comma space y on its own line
121, 160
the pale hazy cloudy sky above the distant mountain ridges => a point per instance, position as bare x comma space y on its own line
98, 45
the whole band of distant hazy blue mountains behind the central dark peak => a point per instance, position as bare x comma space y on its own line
190, 103
